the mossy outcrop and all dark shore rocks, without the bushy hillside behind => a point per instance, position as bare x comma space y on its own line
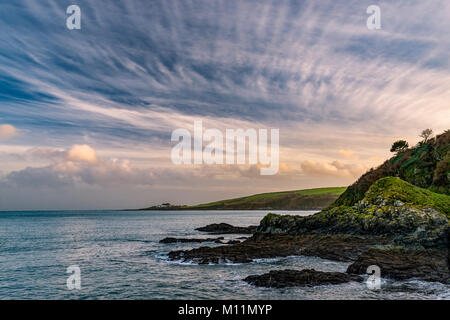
405, 239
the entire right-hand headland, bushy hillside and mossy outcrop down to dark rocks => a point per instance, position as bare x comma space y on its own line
395, 217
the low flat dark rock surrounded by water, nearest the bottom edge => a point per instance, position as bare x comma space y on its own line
306, 277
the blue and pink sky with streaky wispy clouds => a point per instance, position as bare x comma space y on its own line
86, 116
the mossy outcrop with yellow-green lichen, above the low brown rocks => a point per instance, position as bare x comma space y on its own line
391, 206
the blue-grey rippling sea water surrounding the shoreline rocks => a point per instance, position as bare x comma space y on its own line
120, 258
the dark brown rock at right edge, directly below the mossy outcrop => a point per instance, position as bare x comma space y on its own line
402, 263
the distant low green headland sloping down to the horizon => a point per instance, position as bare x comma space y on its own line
308, 199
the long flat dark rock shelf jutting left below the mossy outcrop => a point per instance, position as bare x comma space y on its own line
333, 247
